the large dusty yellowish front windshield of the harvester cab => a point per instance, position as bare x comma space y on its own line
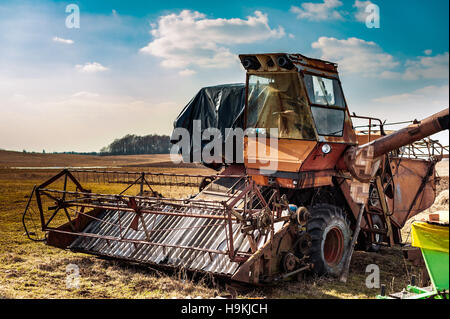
277, 100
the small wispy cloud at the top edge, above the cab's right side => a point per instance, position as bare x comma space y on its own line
325, 10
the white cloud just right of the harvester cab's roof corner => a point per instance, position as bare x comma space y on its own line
355, 55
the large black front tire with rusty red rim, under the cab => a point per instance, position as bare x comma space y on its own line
331, 234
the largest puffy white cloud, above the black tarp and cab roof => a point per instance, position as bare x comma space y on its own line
189, 38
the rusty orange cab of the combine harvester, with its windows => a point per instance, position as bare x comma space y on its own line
302, 99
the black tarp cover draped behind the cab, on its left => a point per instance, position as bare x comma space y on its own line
220, 106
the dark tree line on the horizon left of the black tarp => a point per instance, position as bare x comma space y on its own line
133, 144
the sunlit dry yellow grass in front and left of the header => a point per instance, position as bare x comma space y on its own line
34, 270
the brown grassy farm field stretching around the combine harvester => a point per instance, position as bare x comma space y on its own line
34, 270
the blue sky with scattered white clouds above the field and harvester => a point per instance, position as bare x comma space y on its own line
131, 66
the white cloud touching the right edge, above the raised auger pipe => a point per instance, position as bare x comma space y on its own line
427, 67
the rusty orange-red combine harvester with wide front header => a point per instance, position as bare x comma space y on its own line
251, 224
